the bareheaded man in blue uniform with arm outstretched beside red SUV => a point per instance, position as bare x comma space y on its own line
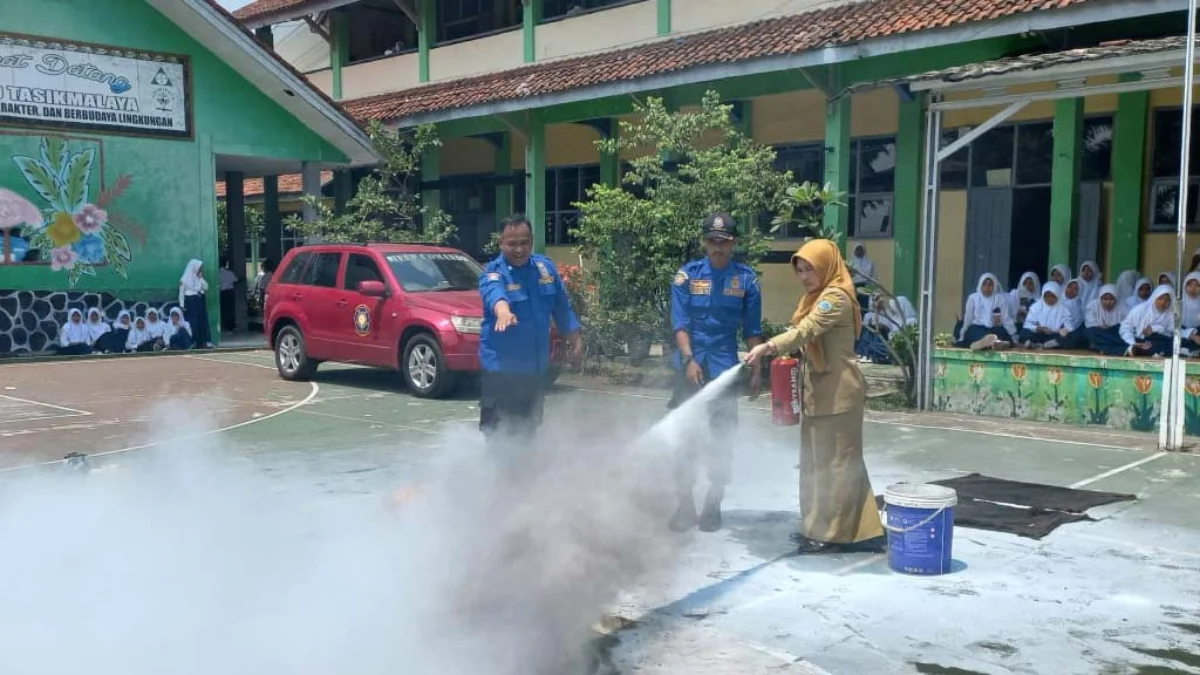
523, 292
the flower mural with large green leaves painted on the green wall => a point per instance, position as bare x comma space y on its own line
76, 228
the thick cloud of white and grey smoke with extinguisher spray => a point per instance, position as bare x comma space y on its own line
189, 560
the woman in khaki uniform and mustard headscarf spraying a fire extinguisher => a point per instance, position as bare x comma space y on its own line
837, 503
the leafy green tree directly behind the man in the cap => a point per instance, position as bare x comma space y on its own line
693, 164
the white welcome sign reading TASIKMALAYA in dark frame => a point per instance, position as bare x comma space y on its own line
53, 83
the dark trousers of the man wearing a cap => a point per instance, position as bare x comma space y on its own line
715, 449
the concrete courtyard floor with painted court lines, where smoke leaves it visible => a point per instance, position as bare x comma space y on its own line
1113, 596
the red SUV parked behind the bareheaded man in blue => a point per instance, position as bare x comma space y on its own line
403, 307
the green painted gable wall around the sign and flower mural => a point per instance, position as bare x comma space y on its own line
167, 212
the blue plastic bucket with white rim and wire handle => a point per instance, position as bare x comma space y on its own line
921, 528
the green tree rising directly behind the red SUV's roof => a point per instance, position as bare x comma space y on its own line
387, 205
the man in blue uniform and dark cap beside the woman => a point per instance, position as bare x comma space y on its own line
712, 300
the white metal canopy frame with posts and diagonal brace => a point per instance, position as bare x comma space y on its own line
1071, 81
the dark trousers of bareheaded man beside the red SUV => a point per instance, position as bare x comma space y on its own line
511, 404
